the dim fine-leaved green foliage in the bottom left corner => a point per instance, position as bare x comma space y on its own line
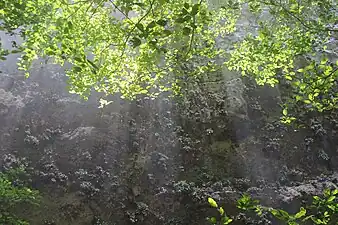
14, 194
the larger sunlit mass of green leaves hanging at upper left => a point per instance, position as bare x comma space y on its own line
126, 47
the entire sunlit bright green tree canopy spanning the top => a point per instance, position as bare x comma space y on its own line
135, 47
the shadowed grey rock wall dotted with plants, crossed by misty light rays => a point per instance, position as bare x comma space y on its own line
156, 161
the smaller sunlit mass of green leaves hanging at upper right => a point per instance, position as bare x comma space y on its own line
293, 48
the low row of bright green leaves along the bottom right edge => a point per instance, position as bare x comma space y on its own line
323, 210
